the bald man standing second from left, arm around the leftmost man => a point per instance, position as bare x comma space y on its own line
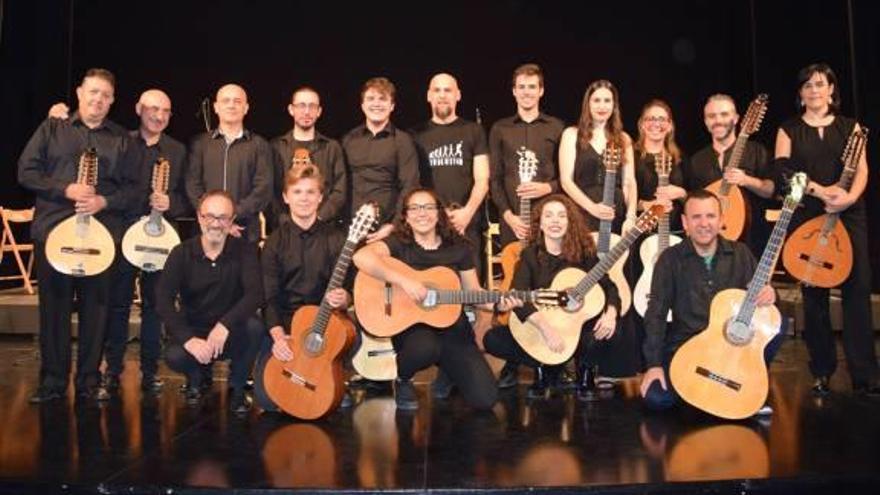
150, 140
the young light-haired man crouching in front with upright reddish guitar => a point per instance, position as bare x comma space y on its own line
298, 261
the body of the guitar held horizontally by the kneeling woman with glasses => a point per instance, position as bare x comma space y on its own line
385, 309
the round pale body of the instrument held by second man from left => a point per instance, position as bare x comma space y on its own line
148, 250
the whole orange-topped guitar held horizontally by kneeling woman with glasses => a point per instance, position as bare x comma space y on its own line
384, 309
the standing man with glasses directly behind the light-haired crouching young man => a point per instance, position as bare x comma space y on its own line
326, 153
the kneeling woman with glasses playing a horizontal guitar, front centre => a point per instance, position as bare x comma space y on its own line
423, 238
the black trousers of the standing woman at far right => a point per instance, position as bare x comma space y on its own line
858, 329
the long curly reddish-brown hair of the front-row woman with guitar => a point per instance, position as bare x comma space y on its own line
577, 244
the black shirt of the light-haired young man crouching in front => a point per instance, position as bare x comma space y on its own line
297, 266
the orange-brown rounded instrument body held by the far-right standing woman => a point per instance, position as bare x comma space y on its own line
817, 258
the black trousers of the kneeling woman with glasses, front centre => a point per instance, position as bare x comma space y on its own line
455, 352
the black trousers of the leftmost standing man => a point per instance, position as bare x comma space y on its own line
56, 304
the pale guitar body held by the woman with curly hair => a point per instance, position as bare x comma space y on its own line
567, 320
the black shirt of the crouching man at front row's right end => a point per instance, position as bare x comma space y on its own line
683, 282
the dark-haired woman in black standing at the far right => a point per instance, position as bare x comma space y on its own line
813, 142
